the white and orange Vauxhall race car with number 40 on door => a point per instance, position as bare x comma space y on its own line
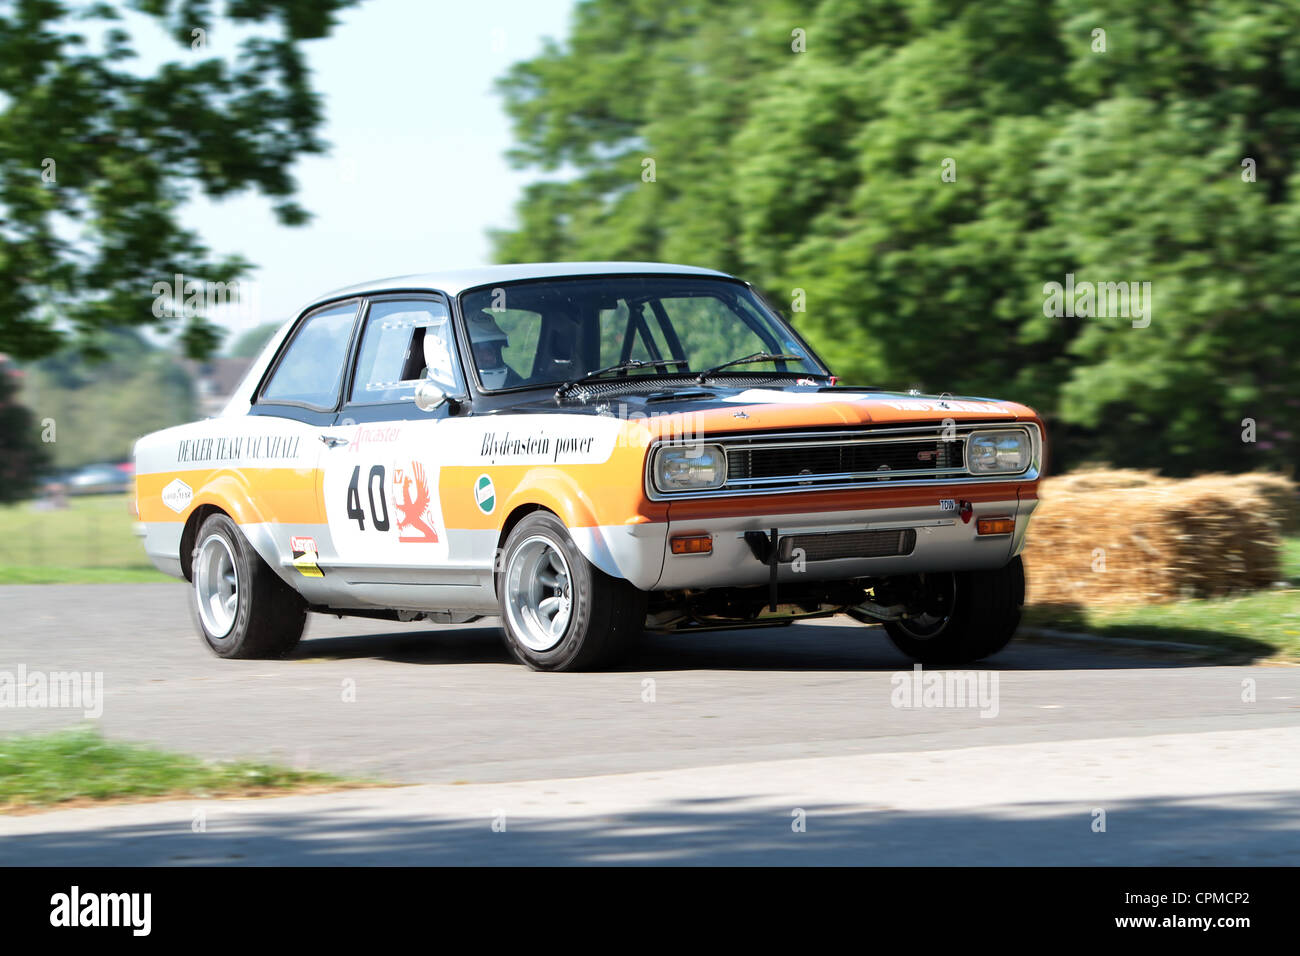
586, 451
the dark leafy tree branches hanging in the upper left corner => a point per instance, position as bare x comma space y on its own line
97, 155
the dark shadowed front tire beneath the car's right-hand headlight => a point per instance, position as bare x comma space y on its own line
977, 620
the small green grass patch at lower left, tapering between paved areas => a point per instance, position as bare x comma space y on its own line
79, 767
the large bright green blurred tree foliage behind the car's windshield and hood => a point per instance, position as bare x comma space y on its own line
824, 171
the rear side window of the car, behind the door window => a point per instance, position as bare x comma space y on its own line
311, 369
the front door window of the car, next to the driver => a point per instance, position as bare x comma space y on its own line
405, 343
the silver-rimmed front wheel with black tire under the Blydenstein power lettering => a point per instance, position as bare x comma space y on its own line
560, 612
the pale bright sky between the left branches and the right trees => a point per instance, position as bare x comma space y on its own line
417, 172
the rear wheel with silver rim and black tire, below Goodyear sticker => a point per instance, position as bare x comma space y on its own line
240, 605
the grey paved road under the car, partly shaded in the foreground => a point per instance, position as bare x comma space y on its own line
731, 736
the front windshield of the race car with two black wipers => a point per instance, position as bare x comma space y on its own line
558, 331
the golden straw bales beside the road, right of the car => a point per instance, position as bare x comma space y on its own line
1136, 537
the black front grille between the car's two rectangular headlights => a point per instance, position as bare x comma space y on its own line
790, 465
